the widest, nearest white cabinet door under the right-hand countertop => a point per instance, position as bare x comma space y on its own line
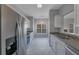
60, 48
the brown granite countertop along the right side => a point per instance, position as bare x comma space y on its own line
70, 40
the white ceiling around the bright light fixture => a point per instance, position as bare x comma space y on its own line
32, 10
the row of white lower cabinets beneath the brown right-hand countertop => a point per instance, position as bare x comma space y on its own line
57, 46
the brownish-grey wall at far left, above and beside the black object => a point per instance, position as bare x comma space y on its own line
8, 22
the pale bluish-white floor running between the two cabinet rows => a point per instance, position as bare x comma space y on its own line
40, 46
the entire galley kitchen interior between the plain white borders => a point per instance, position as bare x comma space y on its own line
57, 28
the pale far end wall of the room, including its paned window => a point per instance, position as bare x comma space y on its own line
41, 28
